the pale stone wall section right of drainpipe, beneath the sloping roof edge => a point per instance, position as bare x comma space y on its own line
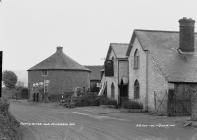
156, 84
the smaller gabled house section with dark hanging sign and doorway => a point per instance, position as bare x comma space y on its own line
116, 72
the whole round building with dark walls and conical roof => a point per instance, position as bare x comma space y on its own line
58, 74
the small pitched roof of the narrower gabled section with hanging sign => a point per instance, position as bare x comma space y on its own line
119, 49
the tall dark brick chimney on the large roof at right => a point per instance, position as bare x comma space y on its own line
186, 35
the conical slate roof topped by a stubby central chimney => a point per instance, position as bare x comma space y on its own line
59, 61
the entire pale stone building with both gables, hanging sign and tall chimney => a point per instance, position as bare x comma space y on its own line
157, 69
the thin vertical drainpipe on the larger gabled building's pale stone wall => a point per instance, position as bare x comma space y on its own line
147, 83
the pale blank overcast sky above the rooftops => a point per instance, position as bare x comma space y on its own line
30, 30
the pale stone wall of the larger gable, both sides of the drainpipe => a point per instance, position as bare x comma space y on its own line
150, 81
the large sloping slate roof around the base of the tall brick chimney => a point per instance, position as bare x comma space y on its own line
162, 47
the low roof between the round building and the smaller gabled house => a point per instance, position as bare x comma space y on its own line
95, 72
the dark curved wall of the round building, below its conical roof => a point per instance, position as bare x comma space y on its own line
60, 80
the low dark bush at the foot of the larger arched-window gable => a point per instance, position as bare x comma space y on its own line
132, 105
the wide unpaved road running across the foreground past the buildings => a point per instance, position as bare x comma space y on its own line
52, 122
